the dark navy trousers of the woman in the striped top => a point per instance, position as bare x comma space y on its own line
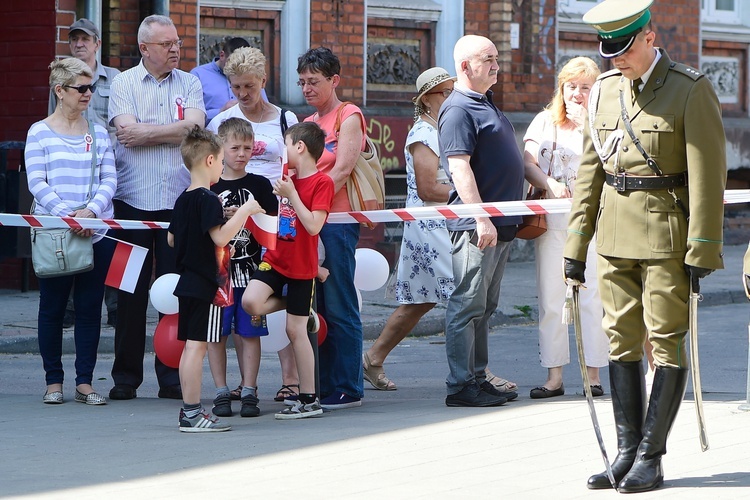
88, 294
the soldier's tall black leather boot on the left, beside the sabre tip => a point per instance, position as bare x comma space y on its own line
627, 383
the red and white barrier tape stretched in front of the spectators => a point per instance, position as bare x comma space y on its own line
498, 209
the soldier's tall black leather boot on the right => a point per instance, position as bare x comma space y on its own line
666, 396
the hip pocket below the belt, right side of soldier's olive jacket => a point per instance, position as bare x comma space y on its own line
666, 224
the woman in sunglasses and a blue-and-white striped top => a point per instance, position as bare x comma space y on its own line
58, 157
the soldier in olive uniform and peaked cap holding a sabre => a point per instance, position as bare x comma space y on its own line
650, 187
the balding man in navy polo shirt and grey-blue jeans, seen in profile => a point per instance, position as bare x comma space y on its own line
478, 150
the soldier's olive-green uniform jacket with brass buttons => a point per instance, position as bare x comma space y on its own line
677, 118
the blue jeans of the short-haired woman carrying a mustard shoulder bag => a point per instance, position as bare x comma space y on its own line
341, 353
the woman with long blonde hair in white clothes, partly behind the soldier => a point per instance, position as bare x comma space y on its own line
552, 153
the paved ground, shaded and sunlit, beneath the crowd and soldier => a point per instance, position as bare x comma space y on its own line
401, 444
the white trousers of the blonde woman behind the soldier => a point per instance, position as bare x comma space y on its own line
554, 341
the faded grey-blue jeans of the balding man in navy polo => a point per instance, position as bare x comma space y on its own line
477, 275
